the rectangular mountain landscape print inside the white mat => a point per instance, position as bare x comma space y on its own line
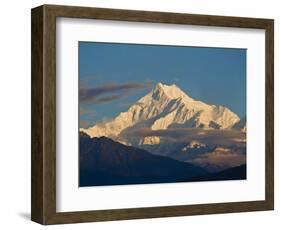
161, 114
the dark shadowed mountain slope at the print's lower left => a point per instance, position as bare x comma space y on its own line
106, 162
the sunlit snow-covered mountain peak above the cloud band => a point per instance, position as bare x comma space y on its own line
166, 106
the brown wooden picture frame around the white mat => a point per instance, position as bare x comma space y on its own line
43, 208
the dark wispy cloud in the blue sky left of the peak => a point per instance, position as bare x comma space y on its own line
108, 93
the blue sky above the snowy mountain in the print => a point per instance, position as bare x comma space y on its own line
119, 74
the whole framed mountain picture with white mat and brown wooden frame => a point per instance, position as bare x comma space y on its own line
141, 114
